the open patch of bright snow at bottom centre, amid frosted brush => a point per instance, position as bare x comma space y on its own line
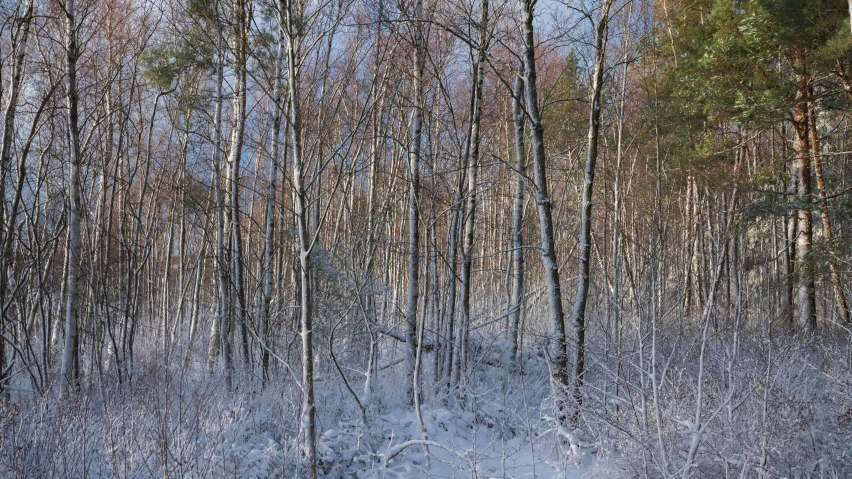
459, 446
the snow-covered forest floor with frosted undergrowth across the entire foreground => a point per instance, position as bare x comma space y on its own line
175, 420
